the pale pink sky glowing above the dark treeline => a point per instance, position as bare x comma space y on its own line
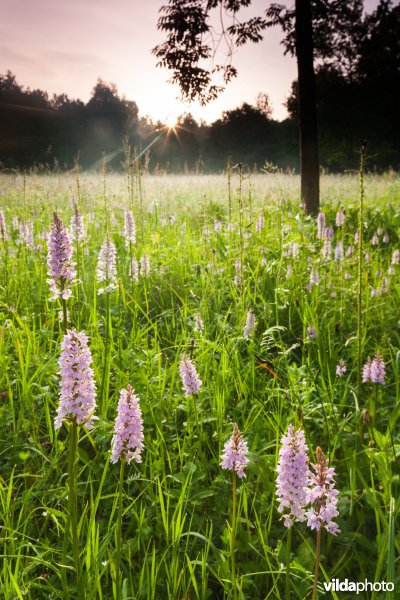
64, 46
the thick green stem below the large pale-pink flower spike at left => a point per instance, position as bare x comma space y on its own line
72, 505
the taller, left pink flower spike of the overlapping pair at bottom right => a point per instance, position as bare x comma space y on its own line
292, 478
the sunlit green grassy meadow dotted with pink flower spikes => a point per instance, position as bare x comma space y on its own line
278, 312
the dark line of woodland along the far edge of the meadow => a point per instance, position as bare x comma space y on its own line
358, 99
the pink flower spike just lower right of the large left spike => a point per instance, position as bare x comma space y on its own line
128, 429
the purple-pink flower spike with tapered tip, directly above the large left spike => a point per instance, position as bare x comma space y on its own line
61, 268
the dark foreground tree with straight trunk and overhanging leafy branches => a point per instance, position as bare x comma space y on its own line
315, 31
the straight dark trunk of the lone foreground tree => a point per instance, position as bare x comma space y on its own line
309, 158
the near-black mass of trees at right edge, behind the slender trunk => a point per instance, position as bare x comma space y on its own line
358, 97
